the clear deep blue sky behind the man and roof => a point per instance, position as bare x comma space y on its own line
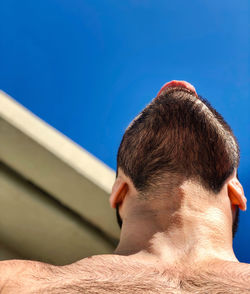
88, 67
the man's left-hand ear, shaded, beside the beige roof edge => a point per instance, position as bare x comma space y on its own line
119, 191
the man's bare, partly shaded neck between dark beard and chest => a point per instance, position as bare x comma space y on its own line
193, 231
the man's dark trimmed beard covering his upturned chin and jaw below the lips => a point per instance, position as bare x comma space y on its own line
178, 135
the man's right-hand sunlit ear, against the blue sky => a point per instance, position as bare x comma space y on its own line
236, 194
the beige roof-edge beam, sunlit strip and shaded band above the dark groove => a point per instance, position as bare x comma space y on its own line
56, 164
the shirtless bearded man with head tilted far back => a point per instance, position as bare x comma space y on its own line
177, 197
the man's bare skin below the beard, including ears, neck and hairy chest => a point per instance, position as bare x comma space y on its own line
179, 243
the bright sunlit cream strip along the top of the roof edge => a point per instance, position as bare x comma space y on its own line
55, 142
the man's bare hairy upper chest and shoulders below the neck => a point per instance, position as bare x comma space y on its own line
108, 274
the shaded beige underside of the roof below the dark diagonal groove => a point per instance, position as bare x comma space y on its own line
34, 226
